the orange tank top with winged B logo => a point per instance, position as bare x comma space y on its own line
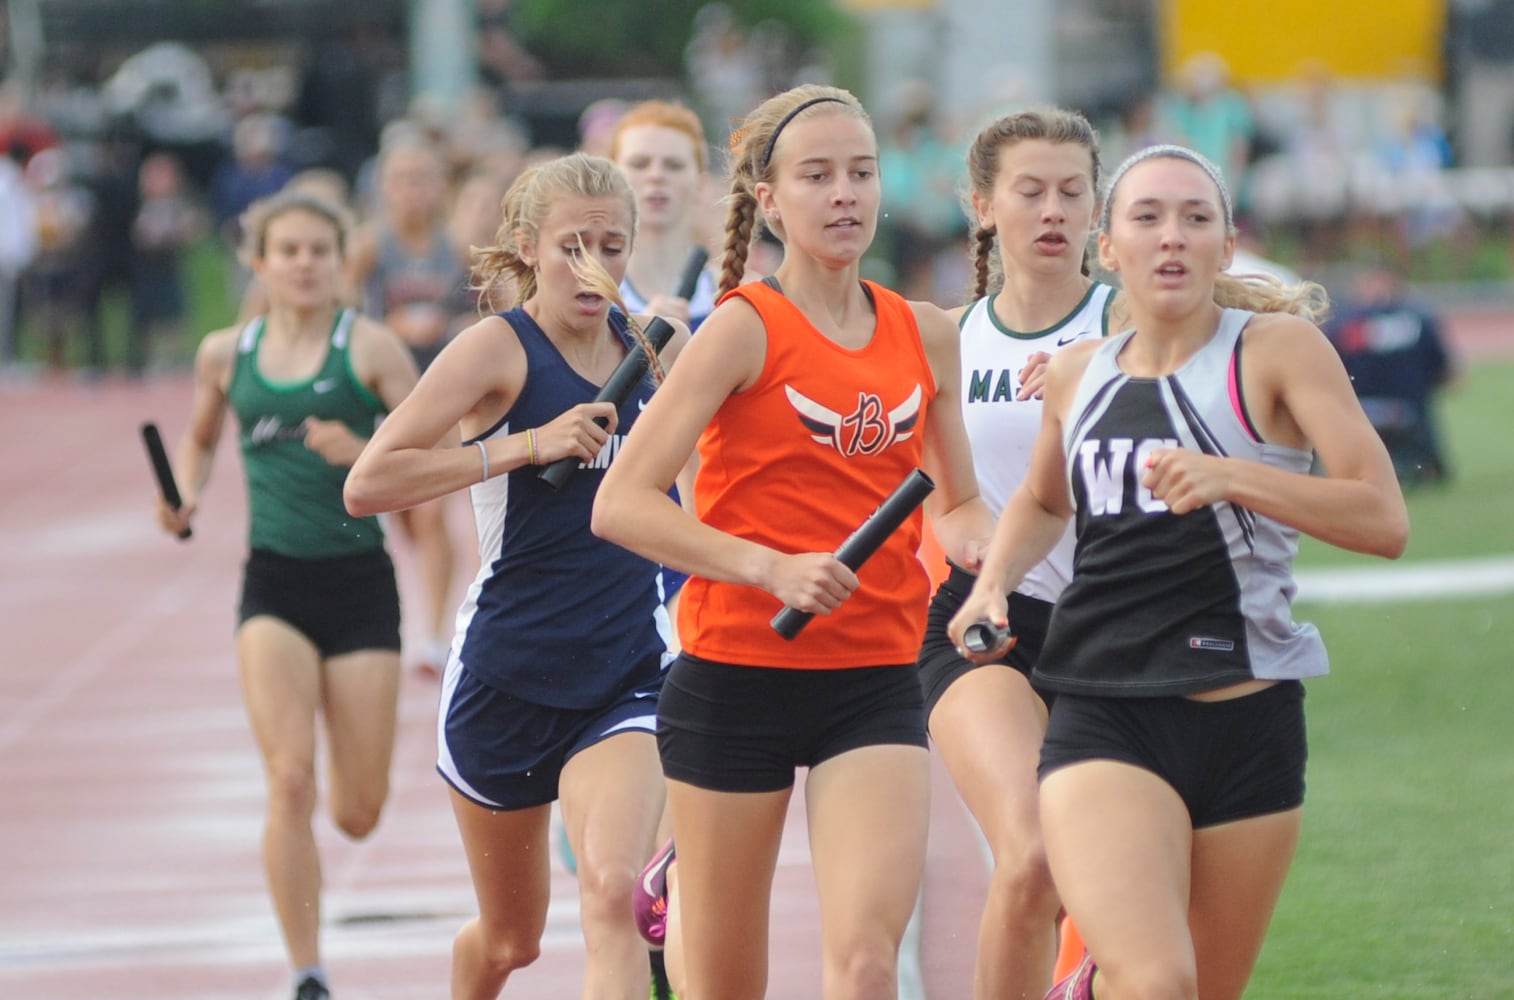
797, 462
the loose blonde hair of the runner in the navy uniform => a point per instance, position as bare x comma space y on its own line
523, 211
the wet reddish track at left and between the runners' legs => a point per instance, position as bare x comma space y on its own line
131, 793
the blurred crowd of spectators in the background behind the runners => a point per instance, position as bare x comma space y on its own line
110, 185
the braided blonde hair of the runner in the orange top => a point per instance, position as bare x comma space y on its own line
752, 155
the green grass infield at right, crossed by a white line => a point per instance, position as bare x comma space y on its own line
1404, 884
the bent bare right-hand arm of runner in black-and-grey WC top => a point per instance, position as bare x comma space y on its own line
1298, 396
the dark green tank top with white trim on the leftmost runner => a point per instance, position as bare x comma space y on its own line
294, 495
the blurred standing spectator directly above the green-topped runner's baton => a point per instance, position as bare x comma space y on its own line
167, 223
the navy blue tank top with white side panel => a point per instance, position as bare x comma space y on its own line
558, 616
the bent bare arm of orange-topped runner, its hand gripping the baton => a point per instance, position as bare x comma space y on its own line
634, 509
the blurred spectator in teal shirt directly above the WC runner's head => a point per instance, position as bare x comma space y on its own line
1207, 114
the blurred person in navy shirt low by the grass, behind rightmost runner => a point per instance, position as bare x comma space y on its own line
1398, 364
